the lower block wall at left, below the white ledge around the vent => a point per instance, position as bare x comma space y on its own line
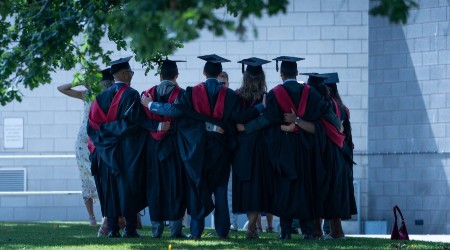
46, 174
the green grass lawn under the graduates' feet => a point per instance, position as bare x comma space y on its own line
63, 235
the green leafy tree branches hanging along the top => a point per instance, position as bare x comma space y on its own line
38, 37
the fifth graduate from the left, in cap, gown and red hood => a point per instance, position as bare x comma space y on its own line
297, 176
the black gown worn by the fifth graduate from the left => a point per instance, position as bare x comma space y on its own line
298, 174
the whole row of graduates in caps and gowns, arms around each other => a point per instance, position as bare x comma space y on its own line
172, 150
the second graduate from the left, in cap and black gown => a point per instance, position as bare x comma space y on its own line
166, 176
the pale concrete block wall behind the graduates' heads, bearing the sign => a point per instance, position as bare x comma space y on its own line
331, 34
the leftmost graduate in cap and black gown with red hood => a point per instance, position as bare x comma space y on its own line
114, 127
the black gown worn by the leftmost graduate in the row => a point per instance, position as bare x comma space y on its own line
118, 155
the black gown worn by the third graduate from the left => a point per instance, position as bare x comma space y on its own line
207, 155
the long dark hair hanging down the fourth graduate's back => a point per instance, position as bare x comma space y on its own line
253, 86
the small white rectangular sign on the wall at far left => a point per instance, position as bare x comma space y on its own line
13, 133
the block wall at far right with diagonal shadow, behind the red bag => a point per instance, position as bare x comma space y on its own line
409, 137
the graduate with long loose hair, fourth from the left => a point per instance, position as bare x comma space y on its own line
252, 184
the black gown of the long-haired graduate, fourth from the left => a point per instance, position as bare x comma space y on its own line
252, 178
